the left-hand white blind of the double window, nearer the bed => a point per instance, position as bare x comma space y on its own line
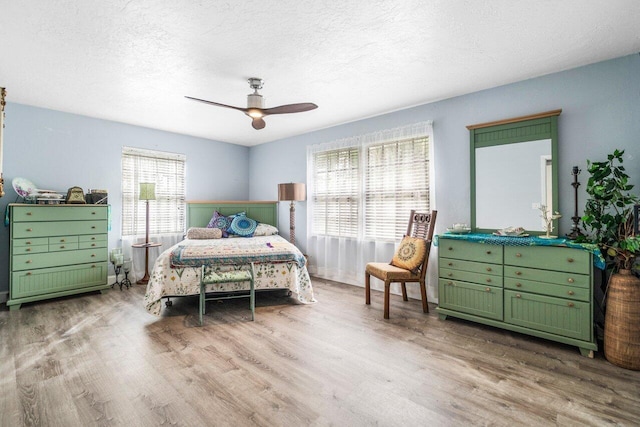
336, 192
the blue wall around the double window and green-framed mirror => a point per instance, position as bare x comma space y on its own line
600, 111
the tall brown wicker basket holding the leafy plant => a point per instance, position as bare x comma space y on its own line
622, 321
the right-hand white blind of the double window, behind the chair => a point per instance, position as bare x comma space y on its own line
396, 181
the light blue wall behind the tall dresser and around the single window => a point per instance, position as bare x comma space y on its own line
57, 150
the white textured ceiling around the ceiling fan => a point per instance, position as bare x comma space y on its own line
133, 61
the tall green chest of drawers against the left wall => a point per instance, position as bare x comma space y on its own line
56, 250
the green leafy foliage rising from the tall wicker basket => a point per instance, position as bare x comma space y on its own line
608, 213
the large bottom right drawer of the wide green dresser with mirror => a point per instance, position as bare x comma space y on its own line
558, 316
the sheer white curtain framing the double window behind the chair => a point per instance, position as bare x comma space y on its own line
344, 259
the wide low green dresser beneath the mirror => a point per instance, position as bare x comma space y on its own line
545, 291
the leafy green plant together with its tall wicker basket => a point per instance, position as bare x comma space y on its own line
608, 215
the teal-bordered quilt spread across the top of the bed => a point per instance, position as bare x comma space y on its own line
236, 251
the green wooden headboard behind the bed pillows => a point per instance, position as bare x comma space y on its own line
199, 212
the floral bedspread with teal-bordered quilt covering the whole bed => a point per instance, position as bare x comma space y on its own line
177, 270
